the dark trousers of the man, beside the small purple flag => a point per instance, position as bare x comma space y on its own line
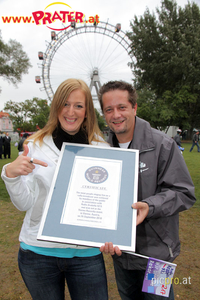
129, 283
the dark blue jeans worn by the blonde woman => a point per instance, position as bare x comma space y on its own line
45, 276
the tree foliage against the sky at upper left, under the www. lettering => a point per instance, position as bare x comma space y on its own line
13, 61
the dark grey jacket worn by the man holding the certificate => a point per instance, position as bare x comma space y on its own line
165, 184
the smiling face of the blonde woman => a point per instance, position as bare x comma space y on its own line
73, 113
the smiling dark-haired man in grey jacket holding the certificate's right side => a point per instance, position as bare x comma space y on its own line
165, 188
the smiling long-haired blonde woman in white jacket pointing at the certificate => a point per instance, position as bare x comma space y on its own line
45, 265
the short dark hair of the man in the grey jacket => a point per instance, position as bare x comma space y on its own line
118, 85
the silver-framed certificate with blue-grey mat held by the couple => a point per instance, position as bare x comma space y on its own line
90, 199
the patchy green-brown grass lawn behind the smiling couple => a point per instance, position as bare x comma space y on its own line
186, 279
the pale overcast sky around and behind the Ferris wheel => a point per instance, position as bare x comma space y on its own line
35, 38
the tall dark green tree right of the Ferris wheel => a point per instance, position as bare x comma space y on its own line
167, 62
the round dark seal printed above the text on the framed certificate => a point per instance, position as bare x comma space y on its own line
96, 174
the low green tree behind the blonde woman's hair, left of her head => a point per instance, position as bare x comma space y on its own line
28, 115
